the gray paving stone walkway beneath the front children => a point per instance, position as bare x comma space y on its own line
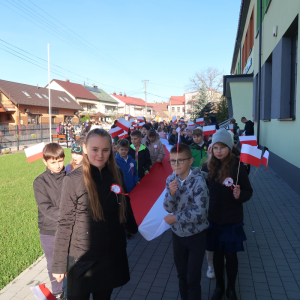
268, 269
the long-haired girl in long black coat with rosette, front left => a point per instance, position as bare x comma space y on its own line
94, 212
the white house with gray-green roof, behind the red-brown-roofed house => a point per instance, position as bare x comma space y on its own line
108, 105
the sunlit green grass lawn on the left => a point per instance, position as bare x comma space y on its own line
19, 234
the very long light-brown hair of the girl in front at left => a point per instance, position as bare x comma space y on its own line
95, 204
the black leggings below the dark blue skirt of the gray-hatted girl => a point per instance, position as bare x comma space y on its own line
231, 267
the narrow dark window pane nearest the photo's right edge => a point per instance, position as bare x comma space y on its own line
294, 63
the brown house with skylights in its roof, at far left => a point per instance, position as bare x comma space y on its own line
23, 104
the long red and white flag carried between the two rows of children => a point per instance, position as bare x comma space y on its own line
147, 198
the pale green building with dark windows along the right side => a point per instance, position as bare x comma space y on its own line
275, 109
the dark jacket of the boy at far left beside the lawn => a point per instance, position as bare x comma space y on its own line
47, 191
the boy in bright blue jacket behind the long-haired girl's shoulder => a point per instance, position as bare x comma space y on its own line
127, 164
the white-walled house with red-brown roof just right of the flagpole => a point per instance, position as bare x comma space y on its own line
90, 104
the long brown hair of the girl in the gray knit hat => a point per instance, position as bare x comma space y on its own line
220, 170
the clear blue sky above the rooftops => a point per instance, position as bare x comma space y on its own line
116, 44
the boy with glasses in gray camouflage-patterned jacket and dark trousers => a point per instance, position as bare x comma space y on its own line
187, 200
